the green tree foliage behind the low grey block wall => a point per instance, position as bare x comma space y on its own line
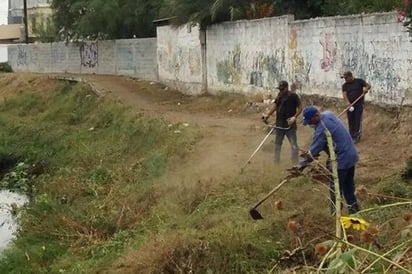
101, 19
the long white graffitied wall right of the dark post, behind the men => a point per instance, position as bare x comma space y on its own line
252, 56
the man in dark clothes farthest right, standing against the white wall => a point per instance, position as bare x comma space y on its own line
352, 89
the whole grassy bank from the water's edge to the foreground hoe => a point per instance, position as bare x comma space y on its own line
97, 203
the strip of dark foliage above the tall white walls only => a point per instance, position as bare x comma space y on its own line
206, 12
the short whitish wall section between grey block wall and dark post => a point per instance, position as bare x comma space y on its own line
179, 57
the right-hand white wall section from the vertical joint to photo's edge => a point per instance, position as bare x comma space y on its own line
374, 47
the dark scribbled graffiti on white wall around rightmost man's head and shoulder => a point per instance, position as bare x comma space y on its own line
379, 70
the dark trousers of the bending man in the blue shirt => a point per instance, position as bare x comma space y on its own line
347, 189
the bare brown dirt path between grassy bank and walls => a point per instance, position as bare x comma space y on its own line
229, 139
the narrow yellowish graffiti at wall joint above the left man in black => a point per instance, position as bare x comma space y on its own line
300, 68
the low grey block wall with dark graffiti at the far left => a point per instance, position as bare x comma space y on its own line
132, 57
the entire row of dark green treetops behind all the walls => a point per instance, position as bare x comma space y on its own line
116, 19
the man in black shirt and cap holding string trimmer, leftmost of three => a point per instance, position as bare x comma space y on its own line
287, 107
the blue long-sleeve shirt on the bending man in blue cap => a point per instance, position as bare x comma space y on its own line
345, 150
